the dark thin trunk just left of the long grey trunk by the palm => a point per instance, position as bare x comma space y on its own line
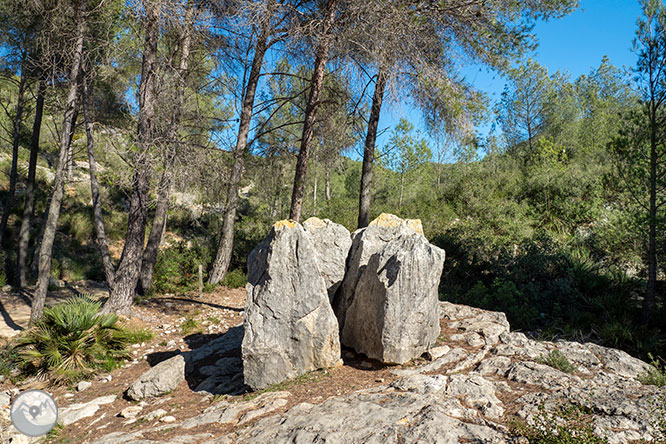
29, 205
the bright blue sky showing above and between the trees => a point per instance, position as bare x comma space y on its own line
575, 44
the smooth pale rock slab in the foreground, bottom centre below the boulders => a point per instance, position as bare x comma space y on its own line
384, 415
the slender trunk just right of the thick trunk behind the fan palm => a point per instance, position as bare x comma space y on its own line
158, 226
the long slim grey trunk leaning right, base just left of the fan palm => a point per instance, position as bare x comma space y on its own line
46, 248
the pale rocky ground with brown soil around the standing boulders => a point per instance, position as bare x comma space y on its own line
479, 379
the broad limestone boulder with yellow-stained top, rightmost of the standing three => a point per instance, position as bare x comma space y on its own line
388, 304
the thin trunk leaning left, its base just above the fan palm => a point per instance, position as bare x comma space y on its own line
98, 218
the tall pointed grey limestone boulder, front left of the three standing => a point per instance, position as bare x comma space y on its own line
290, 327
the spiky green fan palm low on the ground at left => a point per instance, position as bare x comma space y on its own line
72, 340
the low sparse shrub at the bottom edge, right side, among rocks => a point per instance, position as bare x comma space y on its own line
569, 424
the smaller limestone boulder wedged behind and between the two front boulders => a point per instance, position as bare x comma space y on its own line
332, 242
